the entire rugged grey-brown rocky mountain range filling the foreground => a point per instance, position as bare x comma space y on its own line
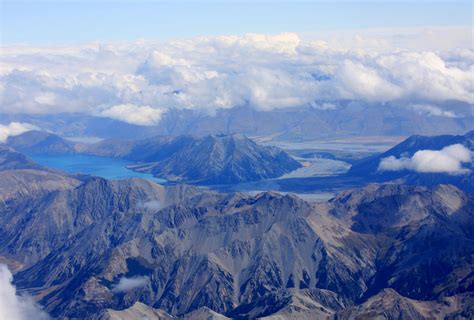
97, 246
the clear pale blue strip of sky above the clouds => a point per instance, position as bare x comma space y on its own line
65, 22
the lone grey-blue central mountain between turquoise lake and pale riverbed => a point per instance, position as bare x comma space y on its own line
220, 159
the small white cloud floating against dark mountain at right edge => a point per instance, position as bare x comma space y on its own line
449, 160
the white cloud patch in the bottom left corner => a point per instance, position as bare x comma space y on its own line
14, 306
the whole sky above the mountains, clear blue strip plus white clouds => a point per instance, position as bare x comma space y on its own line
136, 61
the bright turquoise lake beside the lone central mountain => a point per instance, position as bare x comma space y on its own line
109, 168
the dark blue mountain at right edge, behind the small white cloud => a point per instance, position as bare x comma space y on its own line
369, 167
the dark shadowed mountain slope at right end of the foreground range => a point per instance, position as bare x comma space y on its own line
435, 226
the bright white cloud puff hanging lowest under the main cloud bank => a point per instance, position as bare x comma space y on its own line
139, 115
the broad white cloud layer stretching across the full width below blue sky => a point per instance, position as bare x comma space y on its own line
138, 82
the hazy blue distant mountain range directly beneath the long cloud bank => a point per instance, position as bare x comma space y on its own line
346, 118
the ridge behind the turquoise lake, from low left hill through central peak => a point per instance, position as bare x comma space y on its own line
214, 159
